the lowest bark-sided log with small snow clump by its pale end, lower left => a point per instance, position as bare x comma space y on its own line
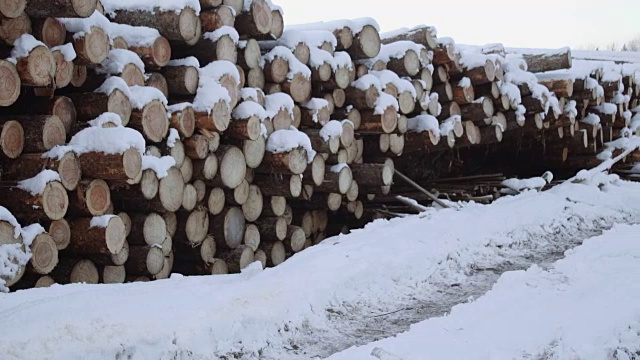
88, 239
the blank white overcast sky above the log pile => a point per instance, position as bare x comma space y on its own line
532, 23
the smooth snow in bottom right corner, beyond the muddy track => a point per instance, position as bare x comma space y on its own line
584, 307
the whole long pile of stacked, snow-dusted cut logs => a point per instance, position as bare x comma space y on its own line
200, 136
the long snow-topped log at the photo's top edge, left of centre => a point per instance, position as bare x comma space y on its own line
179, 26
